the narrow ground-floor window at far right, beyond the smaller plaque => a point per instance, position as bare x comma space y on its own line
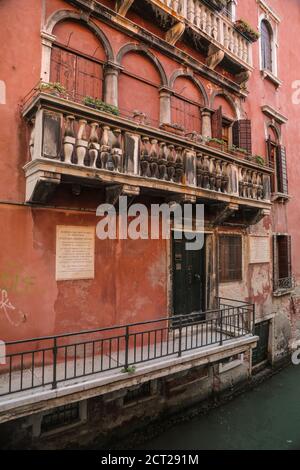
282, 265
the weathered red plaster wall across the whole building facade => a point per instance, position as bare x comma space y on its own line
124, 287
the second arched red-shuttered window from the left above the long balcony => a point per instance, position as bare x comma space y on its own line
139, 84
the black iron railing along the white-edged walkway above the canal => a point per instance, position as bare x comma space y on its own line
49, 361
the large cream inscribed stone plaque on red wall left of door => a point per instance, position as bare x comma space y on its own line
75, 252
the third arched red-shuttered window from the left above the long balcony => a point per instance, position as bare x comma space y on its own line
186, 104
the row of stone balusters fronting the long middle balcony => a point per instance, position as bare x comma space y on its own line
114, 145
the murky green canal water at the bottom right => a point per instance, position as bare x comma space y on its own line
265, 418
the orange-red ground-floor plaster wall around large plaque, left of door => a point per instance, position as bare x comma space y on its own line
129, 284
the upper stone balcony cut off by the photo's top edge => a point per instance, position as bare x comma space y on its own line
203, 23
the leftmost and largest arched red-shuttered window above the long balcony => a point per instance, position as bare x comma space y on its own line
77, 61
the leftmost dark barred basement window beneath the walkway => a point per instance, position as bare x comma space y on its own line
60, 417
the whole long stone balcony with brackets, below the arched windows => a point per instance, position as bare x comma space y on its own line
73, 143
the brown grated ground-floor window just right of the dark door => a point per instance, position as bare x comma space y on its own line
230, 258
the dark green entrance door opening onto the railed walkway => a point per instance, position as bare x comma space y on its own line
188, 279
